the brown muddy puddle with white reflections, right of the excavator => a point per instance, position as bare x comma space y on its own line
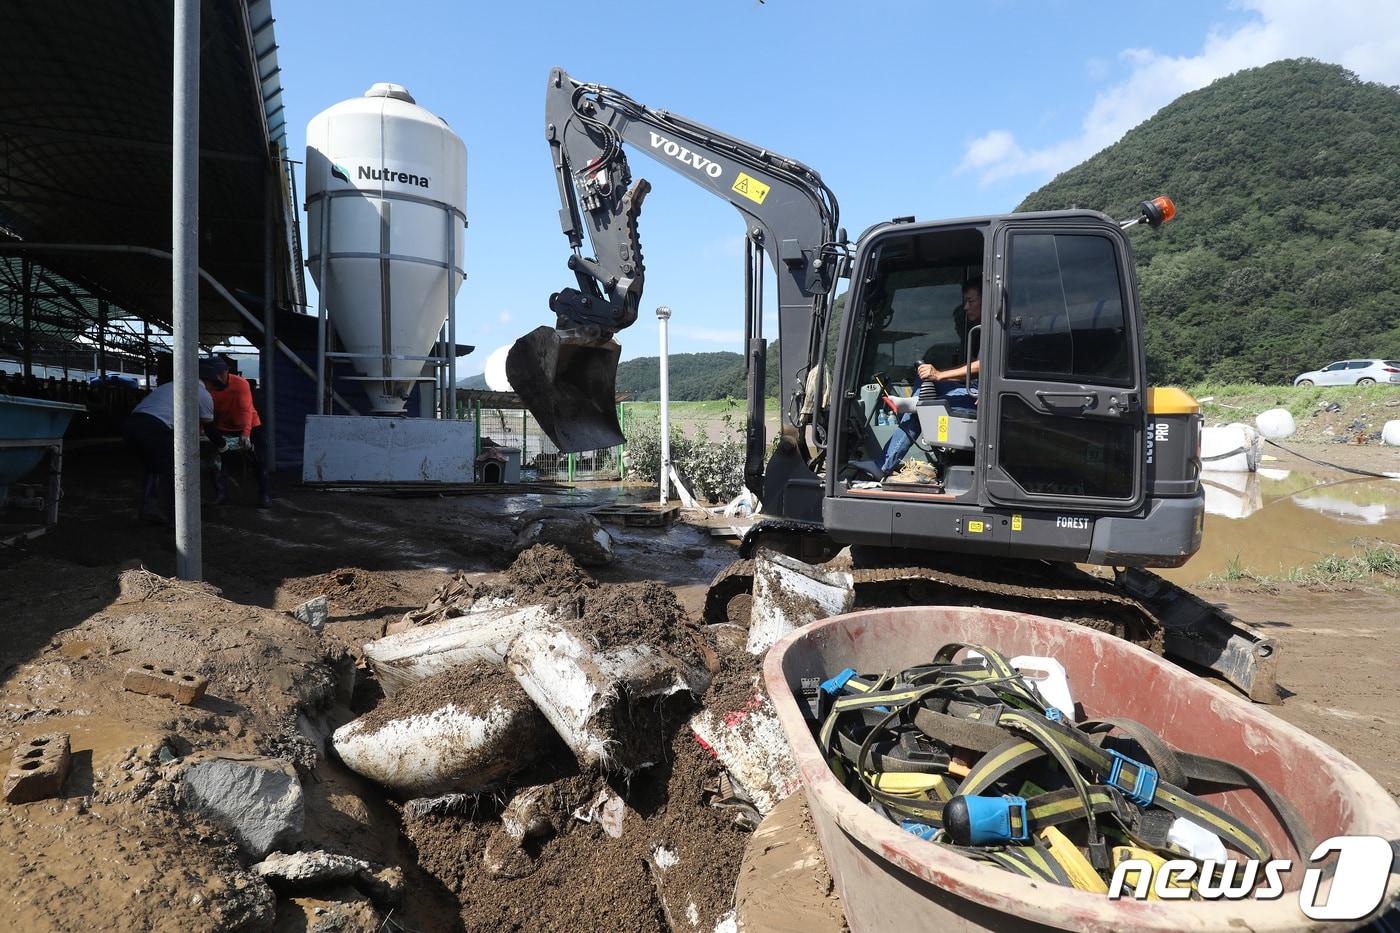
1280, 519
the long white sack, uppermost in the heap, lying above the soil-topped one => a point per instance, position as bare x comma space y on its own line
422, 652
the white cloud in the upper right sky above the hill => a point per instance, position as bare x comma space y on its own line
1363, 36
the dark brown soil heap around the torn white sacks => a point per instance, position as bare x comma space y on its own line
607, 844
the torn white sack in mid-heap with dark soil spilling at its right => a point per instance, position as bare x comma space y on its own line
604, 704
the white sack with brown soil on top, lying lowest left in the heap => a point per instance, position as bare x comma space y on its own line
463, 731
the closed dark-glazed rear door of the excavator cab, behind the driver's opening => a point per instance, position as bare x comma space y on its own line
1063, 378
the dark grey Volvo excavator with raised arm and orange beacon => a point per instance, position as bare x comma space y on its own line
1066, 459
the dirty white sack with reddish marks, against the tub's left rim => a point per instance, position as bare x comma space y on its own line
751, 746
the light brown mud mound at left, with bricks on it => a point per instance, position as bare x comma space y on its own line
169, 862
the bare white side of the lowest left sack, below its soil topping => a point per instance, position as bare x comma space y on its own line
450, 750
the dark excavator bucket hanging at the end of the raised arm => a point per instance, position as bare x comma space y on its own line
569, 386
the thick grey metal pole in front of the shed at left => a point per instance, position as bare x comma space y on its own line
185, 289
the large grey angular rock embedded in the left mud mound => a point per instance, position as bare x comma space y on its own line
258, 799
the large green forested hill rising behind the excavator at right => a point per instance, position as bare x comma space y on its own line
1286, 253
